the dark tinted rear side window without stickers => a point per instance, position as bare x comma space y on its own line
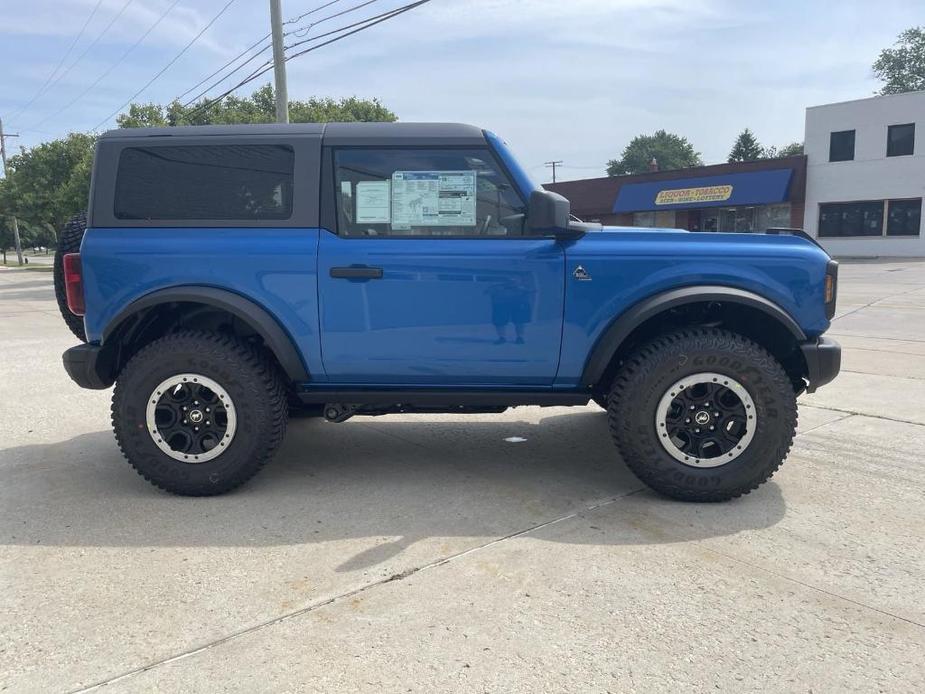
205, 182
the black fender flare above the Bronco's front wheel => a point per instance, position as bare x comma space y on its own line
624, 324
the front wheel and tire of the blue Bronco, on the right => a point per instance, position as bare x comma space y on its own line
702, 414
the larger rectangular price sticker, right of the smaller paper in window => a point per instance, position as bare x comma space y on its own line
433, 198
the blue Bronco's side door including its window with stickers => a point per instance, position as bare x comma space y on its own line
429, 277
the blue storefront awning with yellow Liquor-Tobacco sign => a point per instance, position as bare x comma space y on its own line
758, 188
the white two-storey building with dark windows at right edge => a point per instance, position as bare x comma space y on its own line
865, 177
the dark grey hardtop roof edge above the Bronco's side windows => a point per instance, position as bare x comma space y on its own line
333, 133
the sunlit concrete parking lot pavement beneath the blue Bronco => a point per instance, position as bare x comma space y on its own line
441, 552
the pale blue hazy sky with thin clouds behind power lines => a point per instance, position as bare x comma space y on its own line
569, 80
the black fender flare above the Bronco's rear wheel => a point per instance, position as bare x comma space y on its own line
259, 319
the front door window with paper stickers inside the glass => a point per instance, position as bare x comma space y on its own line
424, 192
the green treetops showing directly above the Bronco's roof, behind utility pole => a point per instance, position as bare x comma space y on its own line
259, 107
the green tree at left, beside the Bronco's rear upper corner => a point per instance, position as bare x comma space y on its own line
48, 183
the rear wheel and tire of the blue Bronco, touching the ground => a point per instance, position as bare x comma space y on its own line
198, 413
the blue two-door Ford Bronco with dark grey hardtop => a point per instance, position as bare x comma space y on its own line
225, 276
